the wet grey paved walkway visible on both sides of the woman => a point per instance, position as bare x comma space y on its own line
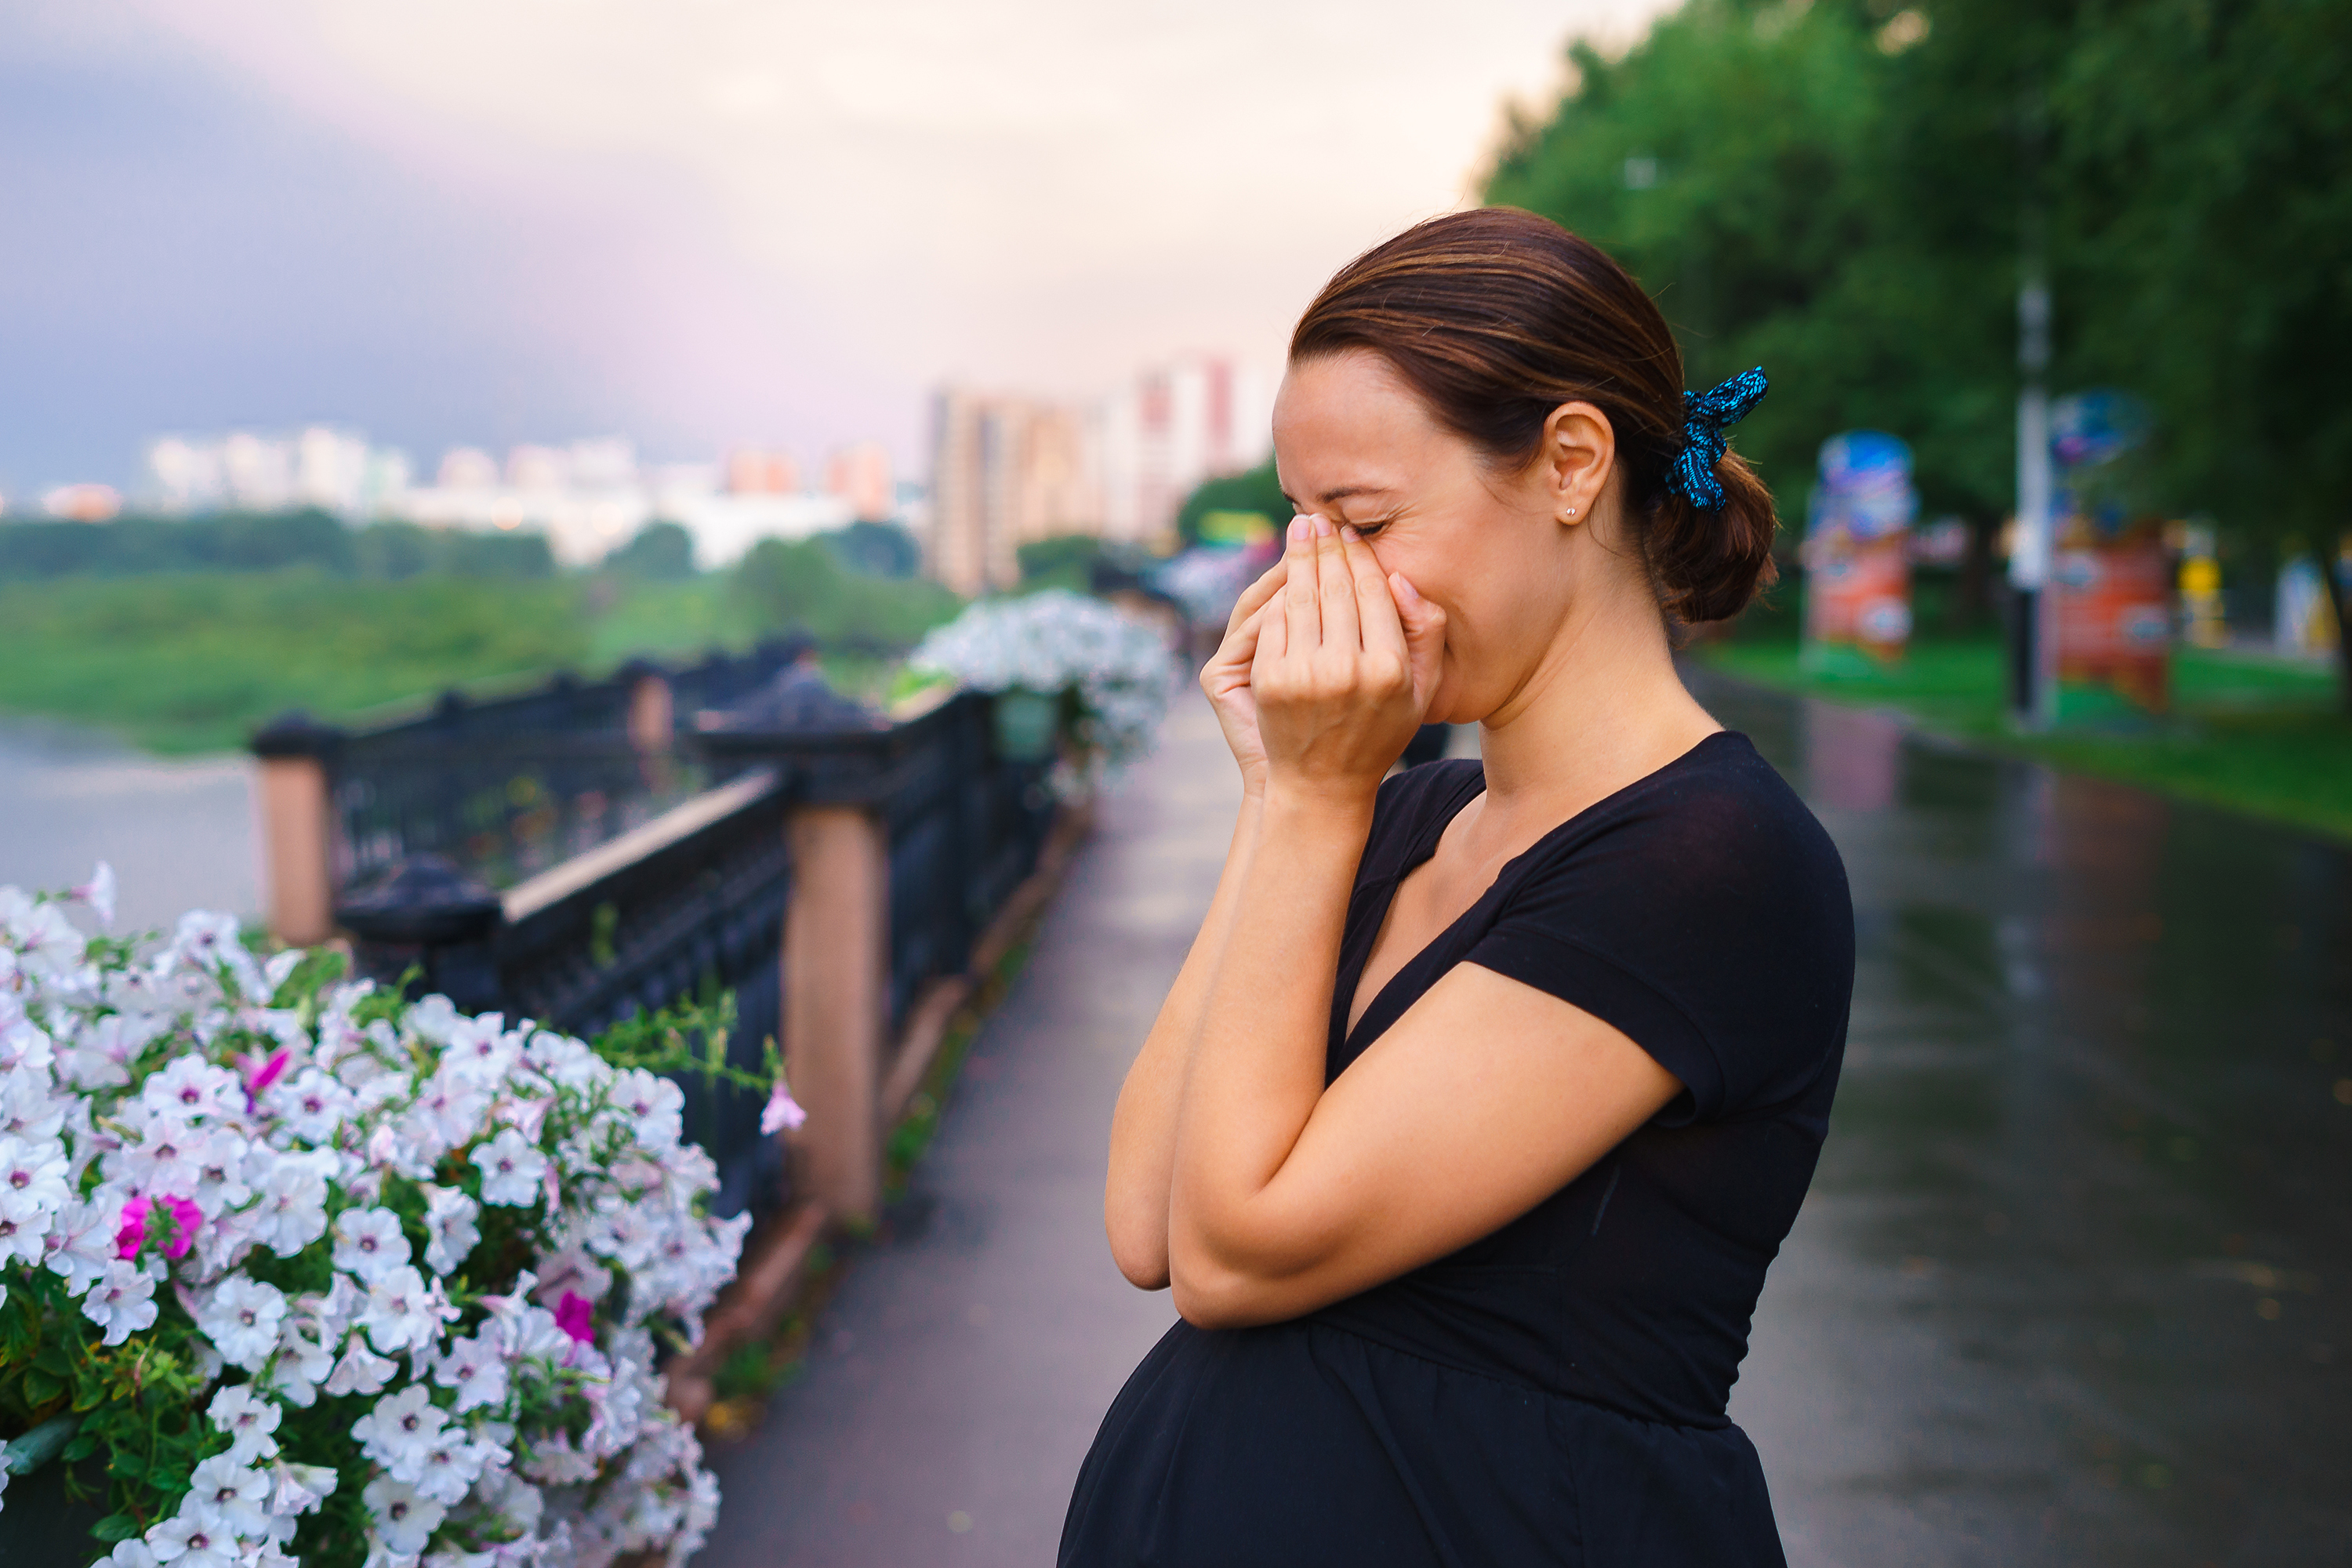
2073, 1287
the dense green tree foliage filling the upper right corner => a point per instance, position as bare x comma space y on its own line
1843, 192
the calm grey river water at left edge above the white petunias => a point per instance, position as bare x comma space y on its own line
180, 833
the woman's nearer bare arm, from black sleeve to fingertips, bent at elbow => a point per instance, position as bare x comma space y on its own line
1476, 1106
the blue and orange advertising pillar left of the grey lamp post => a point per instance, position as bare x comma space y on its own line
1857, 558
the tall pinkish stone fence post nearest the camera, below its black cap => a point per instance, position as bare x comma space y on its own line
836, 998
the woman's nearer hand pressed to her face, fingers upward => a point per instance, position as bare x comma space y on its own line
1344, 664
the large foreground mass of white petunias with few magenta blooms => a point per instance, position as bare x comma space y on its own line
333, 1278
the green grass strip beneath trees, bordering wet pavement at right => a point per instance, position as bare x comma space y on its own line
2247, 732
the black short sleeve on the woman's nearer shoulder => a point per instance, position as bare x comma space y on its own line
1706, 916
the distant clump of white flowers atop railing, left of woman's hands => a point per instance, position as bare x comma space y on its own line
1060, 641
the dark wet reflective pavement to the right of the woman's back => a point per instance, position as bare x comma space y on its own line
2076, 1280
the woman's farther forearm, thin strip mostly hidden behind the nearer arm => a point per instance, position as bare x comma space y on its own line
1144, 1125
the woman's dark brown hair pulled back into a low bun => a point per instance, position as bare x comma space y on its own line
1497, 319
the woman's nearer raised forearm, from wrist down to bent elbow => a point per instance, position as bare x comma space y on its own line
1259, 1064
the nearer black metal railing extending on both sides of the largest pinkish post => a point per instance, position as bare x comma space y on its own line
695, 899
